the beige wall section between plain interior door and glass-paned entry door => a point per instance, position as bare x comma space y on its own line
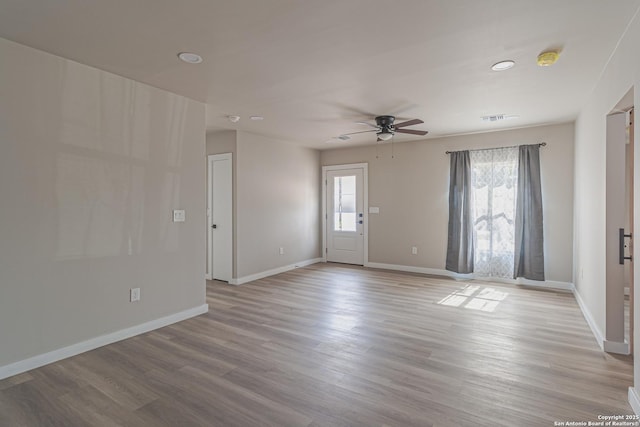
278, 204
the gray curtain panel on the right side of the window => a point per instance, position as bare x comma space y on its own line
529, 251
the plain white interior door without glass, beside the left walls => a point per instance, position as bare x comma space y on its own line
220, 217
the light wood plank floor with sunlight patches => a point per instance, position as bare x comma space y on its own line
332, 345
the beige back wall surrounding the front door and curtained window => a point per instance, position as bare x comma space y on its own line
411, 190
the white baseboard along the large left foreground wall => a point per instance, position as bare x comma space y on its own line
93, 343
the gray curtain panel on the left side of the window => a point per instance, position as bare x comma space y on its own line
460, 234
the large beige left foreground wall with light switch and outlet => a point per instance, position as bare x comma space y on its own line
91, 167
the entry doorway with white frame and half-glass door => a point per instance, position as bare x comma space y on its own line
345, 219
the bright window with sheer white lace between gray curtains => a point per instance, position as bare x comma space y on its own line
494, 181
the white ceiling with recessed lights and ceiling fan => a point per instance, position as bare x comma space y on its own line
313, 68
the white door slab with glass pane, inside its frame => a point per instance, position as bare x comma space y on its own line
345, 216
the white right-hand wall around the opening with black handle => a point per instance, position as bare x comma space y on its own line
621, 74
